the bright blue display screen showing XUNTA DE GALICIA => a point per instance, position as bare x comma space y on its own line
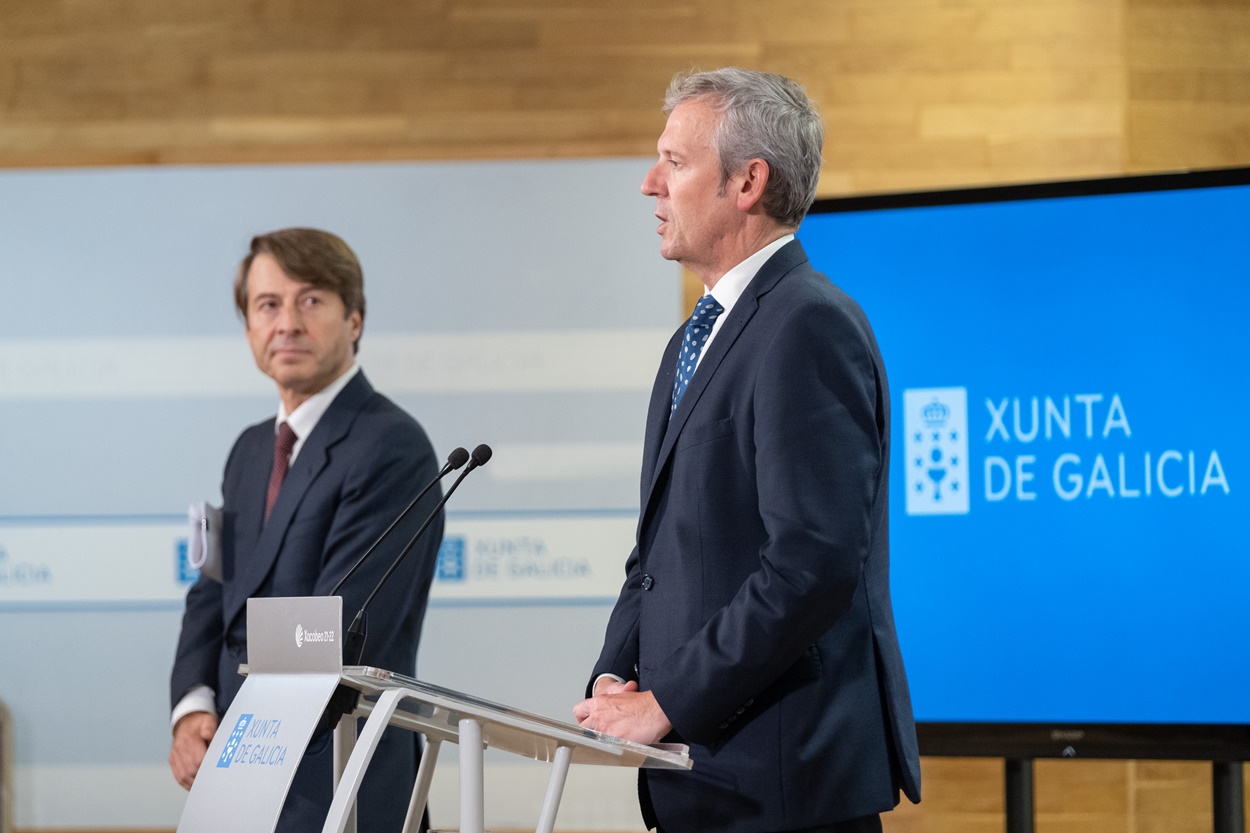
1071, 472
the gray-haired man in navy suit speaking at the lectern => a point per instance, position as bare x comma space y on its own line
756, 620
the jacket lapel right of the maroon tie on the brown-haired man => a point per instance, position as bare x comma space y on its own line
314, 457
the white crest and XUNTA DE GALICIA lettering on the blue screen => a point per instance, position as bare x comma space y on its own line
1073, 447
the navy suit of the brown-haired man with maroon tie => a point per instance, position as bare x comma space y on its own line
358, 470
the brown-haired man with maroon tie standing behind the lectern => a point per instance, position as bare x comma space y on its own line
304, 496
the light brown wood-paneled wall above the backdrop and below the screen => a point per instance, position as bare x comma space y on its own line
917, 94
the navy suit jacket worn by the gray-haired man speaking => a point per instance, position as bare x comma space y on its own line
757, 603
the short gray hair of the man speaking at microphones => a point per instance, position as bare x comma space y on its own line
767, 117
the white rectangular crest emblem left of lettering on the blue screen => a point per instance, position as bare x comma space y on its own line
936, 425
